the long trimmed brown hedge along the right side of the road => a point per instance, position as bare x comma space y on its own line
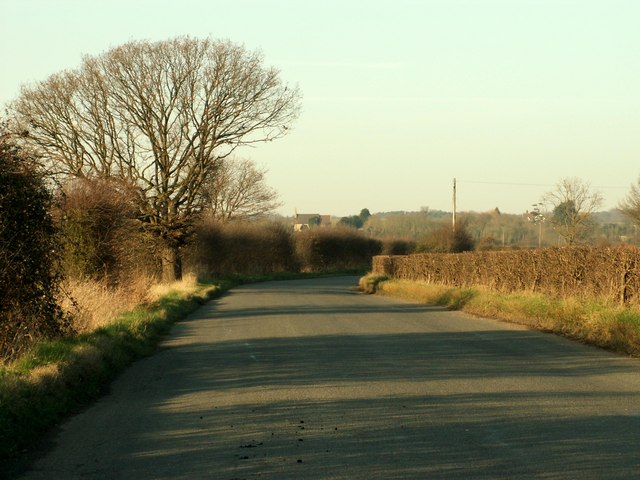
609, 273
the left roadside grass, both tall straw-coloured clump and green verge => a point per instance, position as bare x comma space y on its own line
56, 377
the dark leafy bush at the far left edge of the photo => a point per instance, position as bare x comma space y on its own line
30, 272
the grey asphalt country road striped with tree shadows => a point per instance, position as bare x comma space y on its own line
310, 379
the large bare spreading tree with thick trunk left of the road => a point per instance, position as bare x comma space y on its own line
161, 116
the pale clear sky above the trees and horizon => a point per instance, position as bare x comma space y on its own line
399, 97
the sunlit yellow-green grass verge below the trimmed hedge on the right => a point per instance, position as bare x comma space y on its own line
591, 321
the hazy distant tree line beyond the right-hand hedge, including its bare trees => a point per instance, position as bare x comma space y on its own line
568, 215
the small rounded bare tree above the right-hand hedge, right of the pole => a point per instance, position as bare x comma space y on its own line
572, 203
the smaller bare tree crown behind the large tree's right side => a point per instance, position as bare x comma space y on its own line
238, 191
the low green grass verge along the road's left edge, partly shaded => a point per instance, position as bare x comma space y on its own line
58, 377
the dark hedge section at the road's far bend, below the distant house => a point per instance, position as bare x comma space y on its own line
327, 249
